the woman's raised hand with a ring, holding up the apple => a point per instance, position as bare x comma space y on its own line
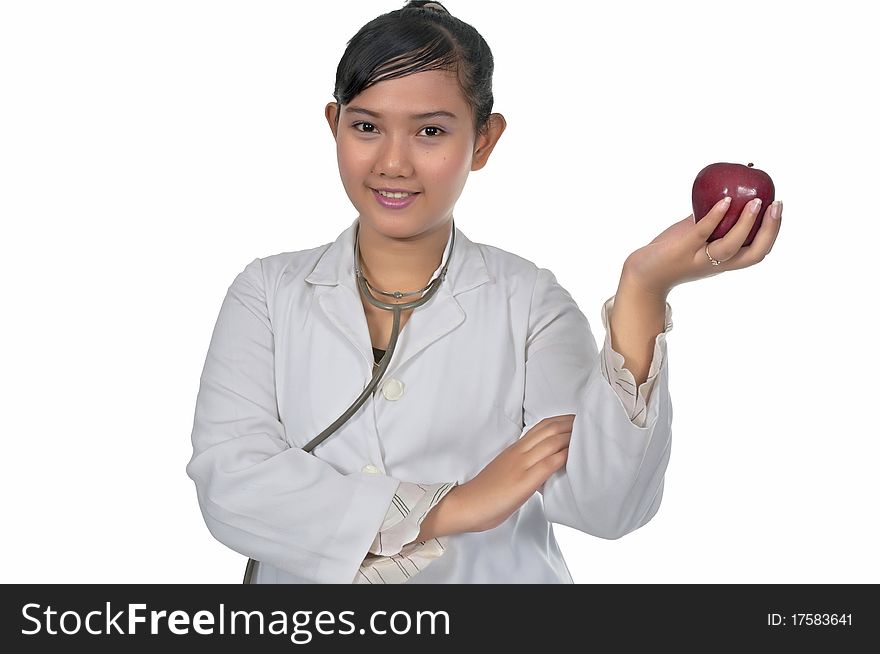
678, 254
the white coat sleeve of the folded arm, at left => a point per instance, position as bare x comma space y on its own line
259, 496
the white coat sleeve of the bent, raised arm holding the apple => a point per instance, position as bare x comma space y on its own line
612, 482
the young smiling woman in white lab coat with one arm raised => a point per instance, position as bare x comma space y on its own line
406, 405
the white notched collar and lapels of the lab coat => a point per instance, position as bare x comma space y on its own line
339, 297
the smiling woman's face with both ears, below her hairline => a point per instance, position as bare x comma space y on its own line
393, 148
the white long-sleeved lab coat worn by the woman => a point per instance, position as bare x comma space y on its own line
499, 347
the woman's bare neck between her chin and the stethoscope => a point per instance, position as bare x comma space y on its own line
391, 264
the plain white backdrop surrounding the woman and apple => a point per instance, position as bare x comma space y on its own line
150, 150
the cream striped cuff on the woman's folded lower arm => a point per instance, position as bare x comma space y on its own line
394, 556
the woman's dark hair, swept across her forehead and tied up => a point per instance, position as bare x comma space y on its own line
420, 36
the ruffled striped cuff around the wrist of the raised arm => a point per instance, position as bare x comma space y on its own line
622, 379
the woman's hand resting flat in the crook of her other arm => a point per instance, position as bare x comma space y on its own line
513, 476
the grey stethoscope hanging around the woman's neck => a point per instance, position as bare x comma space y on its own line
365, 286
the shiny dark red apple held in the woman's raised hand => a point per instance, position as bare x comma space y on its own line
742, 183
